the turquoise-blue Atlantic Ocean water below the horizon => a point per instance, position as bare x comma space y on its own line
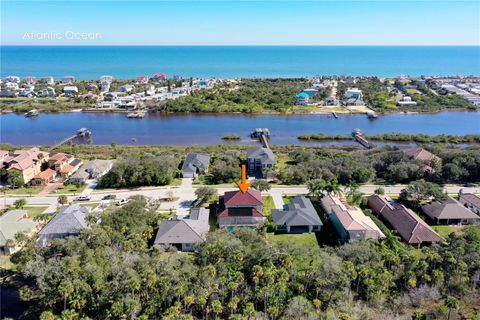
122, 62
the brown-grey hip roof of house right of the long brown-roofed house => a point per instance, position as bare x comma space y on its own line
448, 209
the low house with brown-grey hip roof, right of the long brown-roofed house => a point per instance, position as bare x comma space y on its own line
449, 211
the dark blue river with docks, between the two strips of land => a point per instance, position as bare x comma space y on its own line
208, 129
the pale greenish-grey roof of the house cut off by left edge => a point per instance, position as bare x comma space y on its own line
13, 222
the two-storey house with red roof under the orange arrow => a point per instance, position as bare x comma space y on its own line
241, 210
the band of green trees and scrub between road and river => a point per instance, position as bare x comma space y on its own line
296, 164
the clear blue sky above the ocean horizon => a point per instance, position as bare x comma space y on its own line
241, 22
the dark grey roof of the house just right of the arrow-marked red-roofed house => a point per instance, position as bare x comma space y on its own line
299, 213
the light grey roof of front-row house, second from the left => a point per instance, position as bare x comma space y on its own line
69, 221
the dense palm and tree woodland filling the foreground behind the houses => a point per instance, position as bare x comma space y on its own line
110, 271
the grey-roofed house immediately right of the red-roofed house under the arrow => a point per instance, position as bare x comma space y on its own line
297, 217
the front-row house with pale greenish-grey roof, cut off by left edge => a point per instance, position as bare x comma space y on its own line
11, 223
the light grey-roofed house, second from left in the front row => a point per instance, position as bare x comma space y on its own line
67, 223
